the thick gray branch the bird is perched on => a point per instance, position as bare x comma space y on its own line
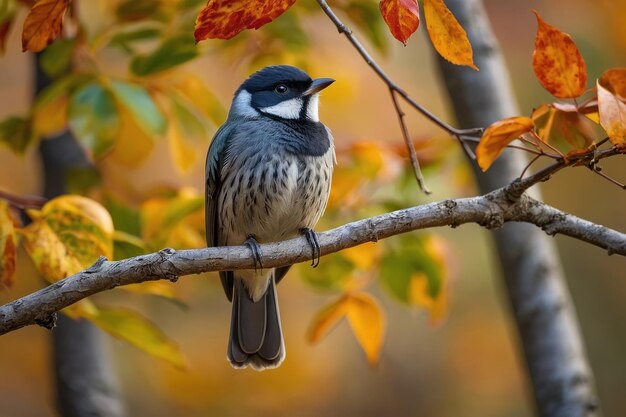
491, 211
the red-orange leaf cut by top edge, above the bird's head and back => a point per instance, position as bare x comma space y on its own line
223, 19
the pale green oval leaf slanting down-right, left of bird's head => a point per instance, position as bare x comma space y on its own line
141, 106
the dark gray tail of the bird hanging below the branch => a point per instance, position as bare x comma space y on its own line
256, 338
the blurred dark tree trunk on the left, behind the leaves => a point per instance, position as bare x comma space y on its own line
84, 381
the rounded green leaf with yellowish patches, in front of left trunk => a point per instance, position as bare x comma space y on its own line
94, 119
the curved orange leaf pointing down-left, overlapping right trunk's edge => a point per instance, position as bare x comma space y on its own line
498, 136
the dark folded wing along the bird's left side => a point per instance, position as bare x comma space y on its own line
213, 183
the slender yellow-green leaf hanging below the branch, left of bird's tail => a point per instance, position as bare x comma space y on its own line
132, 327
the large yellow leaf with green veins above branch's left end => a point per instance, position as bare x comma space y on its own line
68, 235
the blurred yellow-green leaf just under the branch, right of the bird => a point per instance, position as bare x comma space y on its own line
409, 255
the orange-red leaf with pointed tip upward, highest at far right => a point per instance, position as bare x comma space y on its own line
558, 64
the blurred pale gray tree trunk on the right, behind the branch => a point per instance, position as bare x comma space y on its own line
548, 329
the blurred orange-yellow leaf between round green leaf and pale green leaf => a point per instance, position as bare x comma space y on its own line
133, 145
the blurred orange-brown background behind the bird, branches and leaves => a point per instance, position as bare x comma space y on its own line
469, 362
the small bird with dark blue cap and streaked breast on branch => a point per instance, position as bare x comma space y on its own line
268, 175
